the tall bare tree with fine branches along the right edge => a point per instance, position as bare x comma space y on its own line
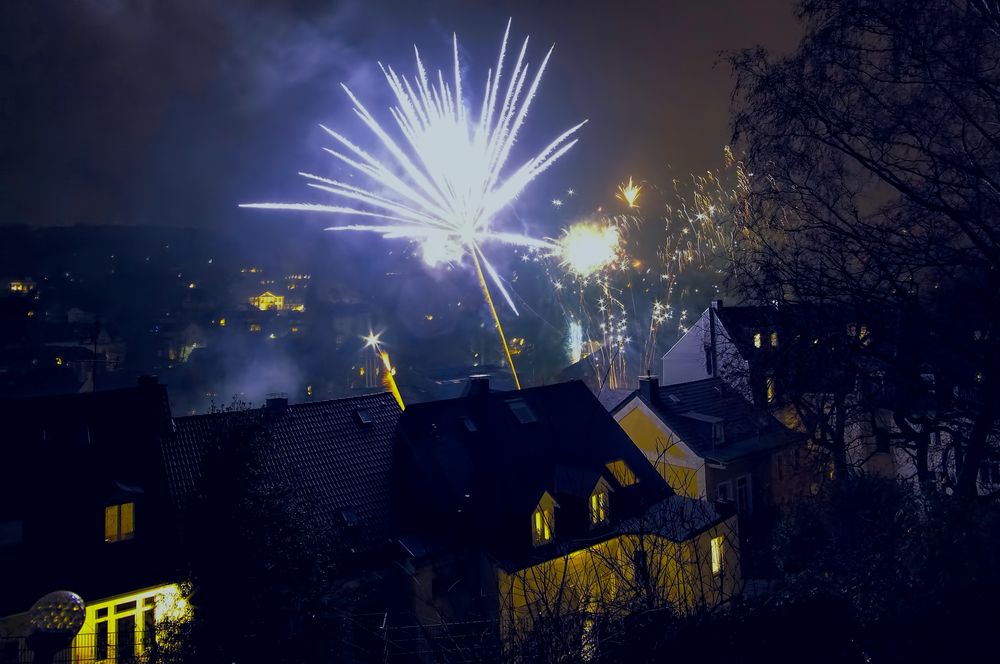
876, 154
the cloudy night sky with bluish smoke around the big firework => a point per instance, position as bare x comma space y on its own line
171, 112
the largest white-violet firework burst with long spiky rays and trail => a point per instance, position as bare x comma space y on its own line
448, 179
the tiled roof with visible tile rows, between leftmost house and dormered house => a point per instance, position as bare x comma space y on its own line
340, 451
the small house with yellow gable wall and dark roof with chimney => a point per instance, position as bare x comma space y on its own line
708, 442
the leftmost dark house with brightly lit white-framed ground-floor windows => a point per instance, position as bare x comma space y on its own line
83, 508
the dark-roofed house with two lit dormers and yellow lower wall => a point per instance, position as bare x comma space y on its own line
534, 506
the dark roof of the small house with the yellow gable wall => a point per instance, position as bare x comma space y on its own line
691, 410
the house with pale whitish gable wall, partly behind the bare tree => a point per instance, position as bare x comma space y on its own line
794, 361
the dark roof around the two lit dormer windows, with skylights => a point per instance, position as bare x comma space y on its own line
478, 465
